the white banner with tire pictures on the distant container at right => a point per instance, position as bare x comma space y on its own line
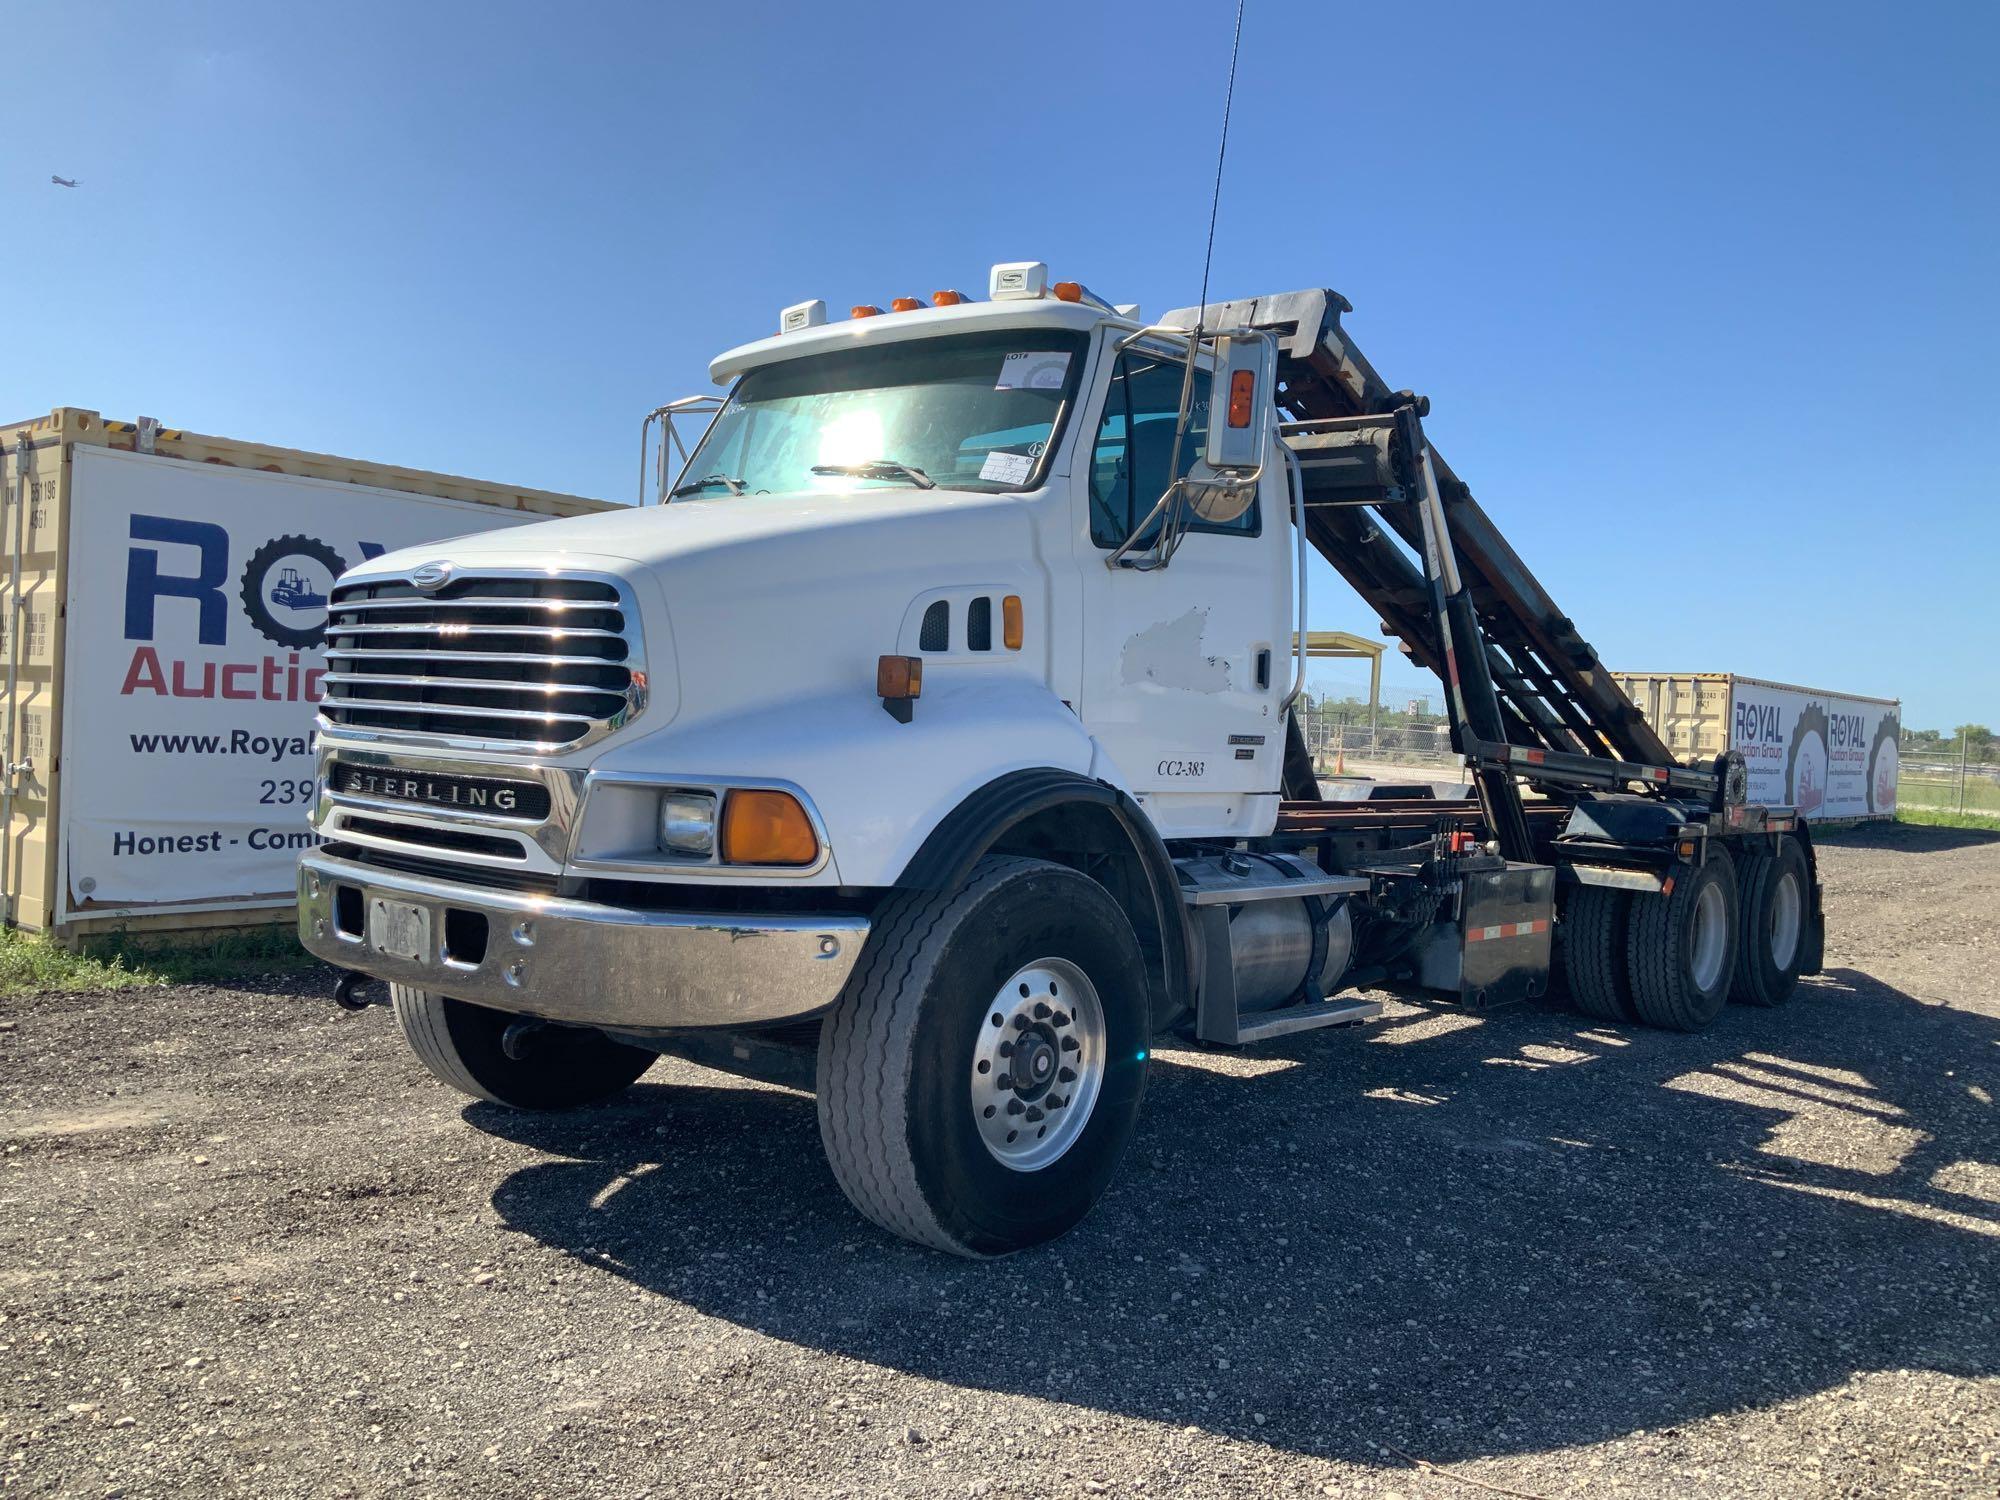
1821, 753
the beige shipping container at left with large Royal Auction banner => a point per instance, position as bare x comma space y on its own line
165, 607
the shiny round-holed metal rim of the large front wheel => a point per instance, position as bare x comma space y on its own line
1039, 1065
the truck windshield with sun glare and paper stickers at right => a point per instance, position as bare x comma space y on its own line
969, 413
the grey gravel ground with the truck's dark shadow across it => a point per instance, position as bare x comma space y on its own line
247, 1247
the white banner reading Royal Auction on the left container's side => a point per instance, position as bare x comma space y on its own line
197, 609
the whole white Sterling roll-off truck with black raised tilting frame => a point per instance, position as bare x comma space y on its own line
933, 747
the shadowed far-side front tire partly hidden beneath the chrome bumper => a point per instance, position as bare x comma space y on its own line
563, 1069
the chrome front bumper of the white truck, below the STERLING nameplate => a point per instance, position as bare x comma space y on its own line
581, 963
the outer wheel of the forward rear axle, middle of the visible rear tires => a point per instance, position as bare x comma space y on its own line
1681, 949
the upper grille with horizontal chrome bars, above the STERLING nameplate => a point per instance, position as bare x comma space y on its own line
533, 663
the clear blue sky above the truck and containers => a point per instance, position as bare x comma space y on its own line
1705, 297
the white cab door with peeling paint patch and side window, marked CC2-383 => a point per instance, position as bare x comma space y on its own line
1185, 667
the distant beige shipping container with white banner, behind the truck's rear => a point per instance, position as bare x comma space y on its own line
1831, 755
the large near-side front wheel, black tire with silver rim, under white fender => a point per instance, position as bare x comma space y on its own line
981, 1077
